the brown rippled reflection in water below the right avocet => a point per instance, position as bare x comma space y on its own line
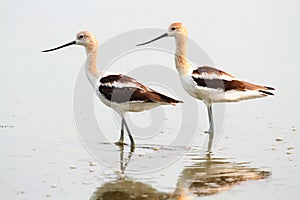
209, 176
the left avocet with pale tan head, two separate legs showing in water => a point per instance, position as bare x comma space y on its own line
120, 92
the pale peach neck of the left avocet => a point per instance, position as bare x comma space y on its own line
91, 70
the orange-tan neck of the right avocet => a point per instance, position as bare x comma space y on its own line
182, 65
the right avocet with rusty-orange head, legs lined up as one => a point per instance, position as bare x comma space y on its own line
206, 83
